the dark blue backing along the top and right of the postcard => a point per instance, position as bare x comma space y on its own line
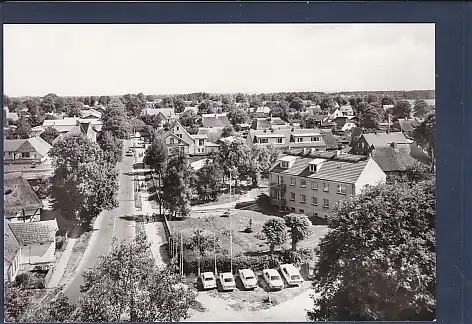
453, 96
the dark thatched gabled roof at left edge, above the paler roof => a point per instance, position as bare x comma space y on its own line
18, 195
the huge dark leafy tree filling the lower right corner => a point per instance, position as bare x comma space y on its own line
378, 260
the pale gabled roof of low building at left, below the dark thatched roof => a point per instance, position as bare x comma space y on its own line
35, 232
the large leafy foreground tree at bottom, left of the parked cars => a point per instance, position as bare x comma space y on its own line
127, 286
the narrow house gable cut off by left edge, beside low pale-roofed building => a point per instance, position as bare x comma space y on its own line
11, 253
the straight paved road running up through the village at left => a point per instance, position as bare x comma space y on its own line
109, 224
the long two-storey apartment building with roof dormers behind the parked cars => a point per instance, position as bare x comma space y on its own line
312, 184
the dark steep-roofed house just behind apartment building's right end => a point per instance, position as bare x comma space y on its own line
394, 159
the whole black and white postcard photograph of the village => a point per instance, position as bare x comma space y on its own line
219, 172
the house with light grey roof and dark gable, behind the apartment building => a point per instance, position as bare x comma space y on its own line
368, 142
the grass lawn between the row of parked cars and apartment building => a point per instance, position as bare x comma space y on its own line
242, 242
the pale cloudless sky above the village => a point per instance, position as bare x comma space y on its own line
80, 60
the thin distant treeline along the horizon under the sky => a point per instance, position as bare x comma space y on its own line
277, 96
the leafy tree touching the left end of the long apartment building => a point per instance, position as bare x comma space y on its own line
262, 159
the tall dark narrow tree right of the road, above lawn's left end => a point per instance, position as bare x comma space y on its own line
176, 186
